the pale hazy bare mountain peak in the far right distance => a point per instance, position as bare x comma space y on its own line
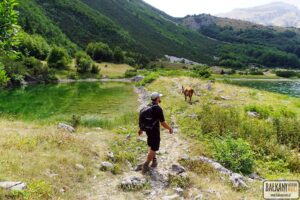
273, 14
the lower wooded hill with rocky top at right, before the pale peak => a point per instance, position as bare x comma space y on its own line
244, 43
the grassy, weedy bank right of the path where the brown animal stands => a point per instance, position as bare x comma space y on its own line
221, 122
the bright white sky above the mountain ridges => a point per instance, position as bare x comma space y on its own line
181, 8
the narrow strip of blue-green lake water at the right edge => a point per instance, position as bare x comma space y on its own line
291, 88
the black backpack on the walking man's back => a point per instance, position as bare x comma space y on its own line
146, 120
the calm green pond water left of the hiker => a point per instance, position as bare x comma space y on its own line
60, 102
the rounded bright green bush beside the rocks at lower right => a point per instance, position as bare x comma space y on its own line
235, 154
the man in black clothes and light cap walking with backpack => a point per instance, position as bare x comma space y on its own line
150, 119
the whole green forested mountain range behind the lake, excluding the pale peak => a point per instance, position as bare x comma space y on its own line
136, 26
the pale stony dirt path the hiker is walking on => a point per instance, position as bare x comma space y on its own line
173, 147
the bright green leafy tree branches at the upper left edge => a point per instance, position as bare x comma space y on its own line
8, 25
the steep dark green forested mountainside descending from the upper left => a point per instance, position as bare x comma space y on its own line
132, 24
